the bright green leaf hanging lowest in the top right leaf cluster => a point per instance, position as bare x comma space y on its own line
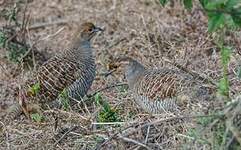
215, 21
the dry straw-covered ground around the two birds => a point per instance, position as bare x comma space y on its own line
141, 29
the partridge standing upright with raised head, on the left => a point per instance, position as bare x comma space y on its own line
72, 70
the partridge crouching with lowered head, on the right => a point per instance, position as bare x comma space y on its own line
157, 90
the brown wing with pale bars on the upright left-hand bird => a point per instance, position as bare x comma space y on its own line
55, 75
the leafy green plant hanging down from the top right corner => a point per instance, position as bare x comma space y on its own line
223, 16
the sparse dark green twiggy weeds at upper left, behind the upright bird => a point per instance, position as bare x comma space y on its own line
12, 37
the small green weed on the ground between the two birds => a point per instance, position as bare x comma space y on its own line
107, 114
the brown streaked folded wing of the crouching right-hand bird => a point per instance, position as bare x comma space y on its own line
160, 84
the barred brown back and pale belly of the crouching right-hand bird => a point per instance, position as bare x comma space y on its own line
158, 90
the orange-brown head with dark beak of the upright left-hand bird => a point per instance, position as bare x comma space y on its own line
87, 31
